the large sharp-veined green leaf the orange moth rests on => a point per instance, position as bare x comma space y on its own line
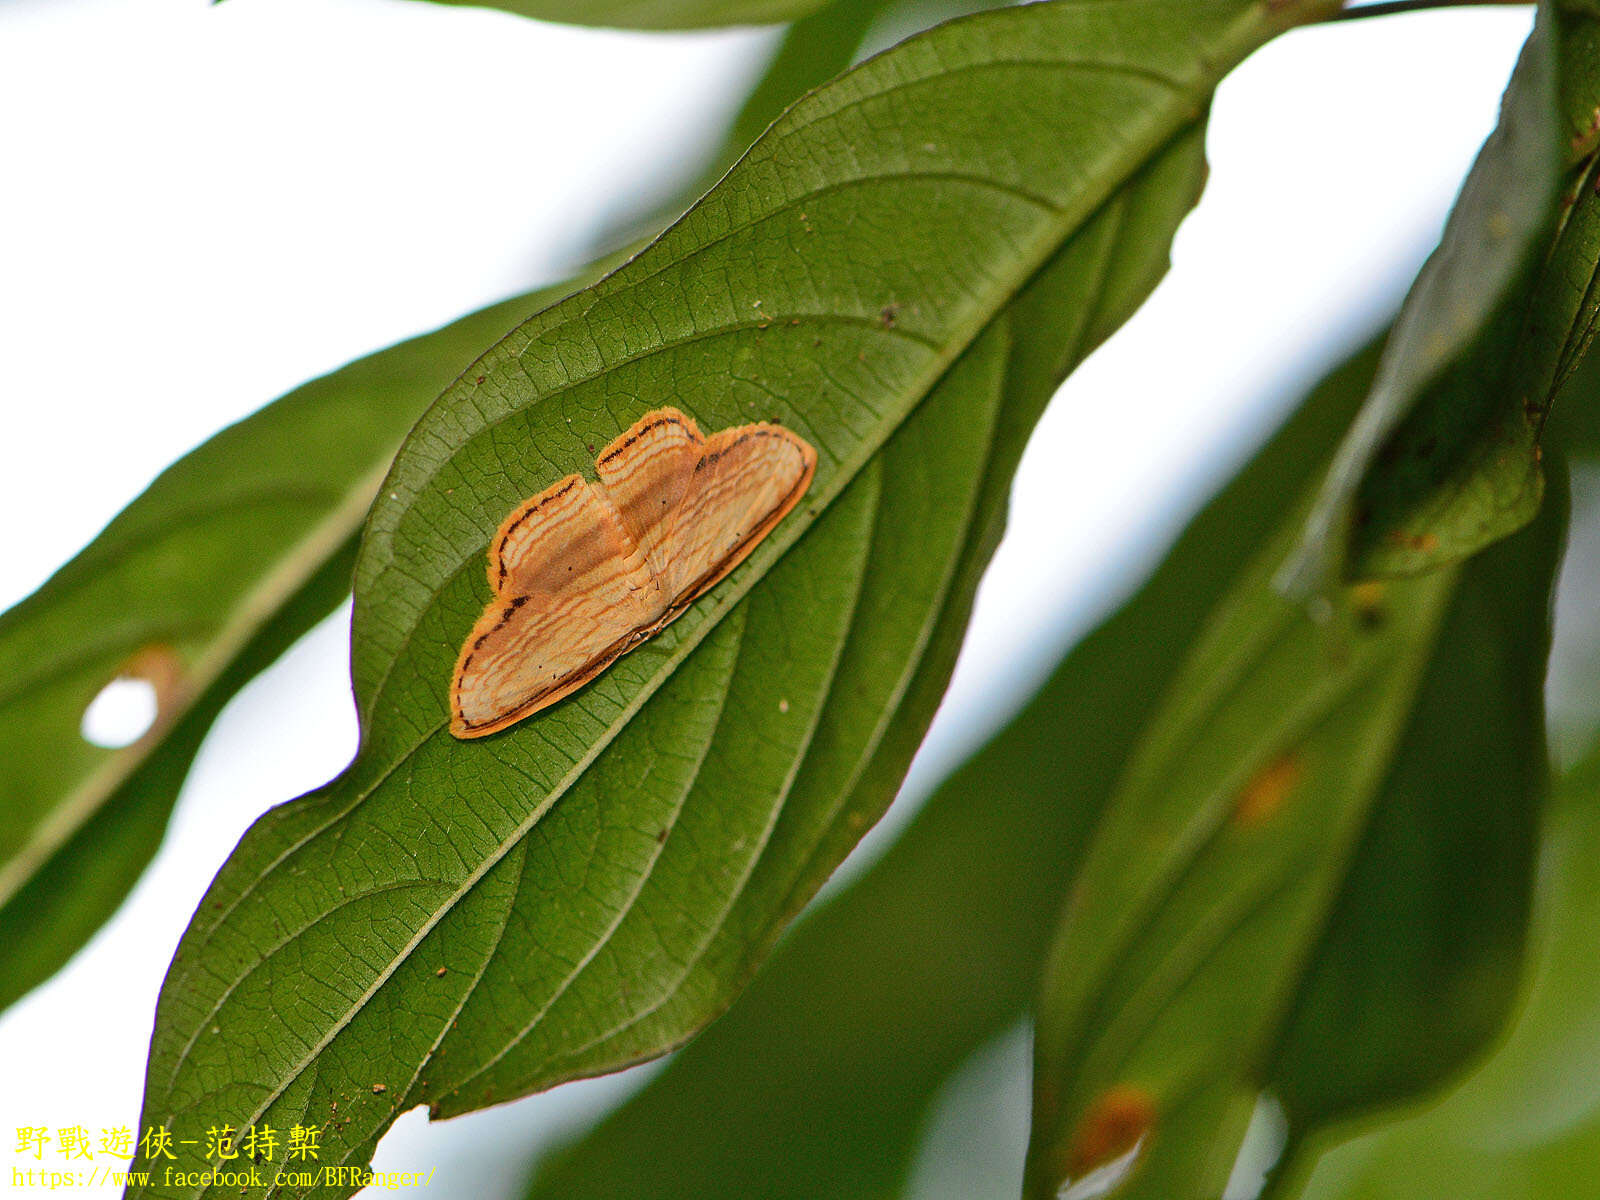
598, 882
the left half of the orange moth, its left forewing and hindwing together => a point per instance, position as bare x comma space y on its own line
572, 591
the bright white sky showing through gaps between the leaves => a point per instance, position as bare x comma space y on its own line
204, 207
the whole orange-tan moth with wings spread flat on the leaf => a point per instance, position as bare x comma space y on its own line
585, 572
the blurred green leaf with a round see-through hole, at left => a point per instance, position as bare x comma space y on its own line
201, 583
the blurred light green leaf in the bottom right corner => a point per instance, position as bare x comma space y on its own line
1526, 1126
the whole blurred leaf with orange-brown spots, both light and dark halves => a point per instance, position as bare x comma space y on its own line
1303, 828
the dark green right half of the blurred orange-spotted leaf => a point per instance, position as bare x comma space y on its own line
1420, 959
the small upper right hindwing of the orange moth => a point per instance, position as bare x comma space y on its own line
646, 474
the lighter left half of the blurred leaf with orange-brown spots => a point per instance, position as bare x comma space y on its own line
1207, 882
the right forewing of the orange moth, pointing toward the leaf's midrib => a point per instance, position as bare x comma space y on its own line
745, 482
